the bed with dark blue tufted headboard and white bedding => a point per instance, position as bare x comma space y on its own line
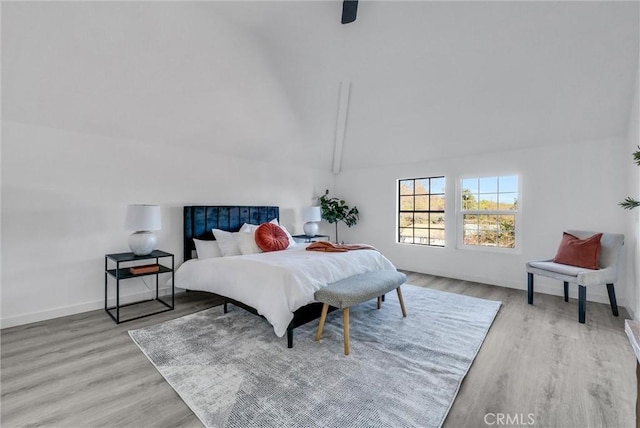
279, 285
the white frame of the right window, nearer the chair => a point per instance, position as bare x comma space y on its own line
460, 215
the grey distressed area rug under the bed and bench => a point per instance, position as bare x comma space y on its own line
232, 371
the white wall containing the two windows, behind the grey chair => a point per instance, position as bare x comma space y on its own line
573, 186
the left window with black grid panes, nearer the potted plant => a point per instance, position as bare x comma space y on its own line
421, 211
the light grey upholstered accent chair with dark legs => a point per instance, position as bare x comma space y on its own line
611, 244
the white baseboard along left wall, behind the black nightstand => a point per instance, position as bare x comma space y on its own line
77, 309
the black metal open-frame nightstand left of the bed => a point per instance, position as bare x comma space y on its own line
121, 266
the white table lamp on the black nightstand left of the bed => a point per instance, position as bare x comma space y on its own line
142, 219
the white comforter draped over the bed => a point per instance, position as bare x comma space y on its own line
276, 283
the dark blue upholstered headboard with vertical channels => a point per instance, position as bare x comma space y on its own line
199, 220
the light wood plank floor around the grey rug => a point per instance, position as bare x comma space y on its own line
538, 367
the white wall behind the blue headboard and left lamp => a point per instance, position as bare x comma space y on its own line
64, 197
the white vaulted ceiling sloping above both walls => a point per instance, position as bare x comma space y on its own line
261, 80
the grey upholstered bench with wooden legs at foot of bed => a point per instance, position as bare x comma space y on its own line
355, 290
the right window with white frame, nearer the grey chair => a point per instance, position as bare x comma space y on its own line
489, 209
